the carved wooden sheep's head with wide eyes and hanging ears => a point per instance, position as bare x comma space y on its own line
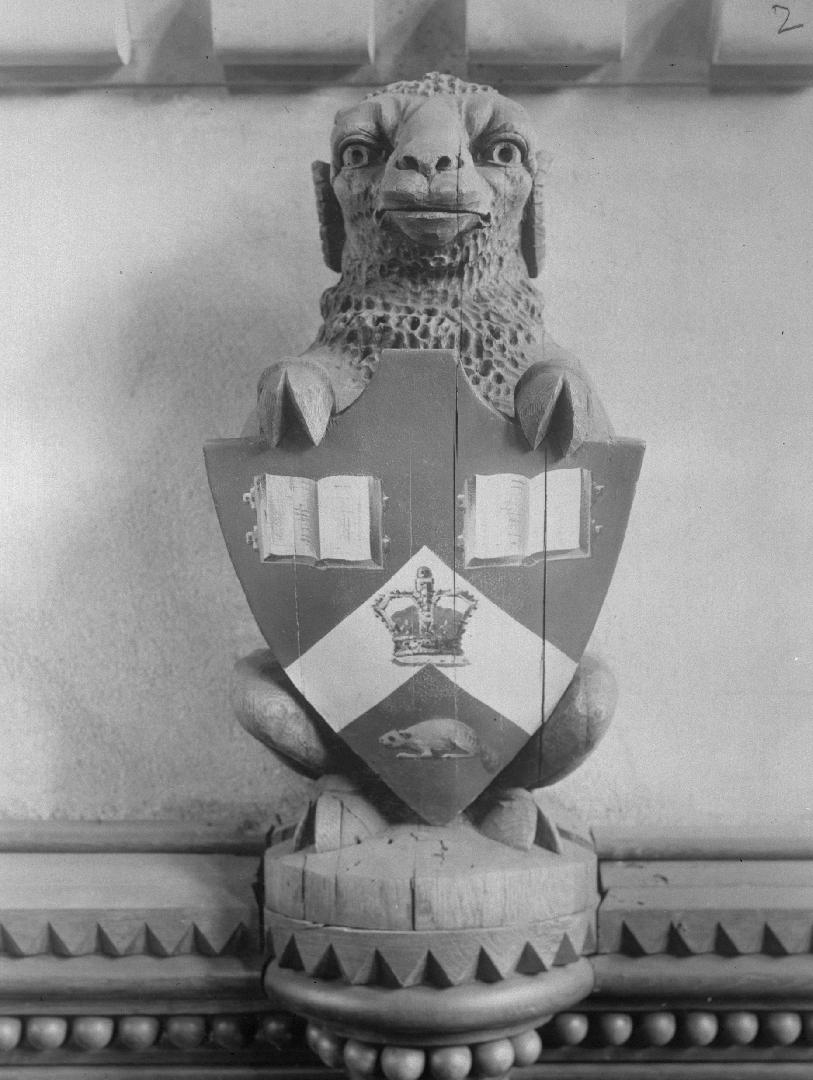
438, 171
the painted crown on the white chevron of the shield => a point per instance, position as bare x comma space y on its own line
428, 624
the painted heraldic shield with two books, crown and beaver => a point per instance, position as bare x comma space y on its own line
428, 583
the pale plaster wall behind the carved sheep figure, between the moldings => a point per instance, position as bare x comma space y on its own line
157, 253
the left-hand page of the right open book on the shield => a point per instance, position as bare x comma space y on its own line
500, 508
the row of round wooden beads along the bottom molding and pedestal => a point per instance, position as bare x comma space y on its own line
613, 1031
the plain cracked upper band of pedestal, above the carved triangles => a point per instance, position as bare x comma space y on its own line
423, 880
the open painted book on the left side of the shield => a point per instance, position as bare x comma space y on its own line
335, 521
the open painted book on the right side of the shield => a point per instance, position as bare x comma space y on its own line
511, 520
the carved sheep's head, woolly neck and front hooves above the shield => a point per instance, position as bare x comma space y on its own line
431, 211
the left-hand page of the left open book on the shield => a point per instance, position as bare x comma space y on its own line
288, 518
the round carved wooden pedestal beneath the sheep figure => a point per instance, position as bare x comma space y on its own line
429, 950
